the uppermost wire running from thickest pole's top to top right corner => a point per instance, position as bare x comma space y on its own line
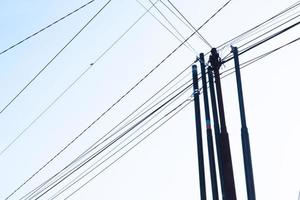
261, 24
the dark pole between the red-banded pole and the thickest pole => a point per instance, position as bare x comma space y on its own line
216, 127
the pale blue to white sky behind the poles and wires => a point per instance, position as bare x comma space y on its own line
164, 166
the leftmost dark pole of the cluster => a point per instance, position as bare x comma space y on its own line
199, 134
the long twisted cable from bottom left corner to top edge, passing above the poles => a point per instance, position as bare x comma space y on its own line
121, 98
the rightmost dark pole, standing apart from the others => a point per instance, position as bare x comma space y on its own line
244, 130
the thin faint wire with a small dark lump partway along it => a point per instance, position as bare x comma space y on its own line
72, 84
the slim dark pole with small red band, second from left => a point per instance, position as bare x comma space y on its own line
212, 165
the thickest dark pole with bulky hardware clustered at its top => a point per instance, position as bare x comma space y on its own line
229, 185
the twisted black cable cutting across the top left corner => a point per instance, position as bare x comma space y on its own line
46, 27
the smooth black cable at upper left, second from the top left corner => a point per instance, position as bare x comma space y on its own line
56, 55
